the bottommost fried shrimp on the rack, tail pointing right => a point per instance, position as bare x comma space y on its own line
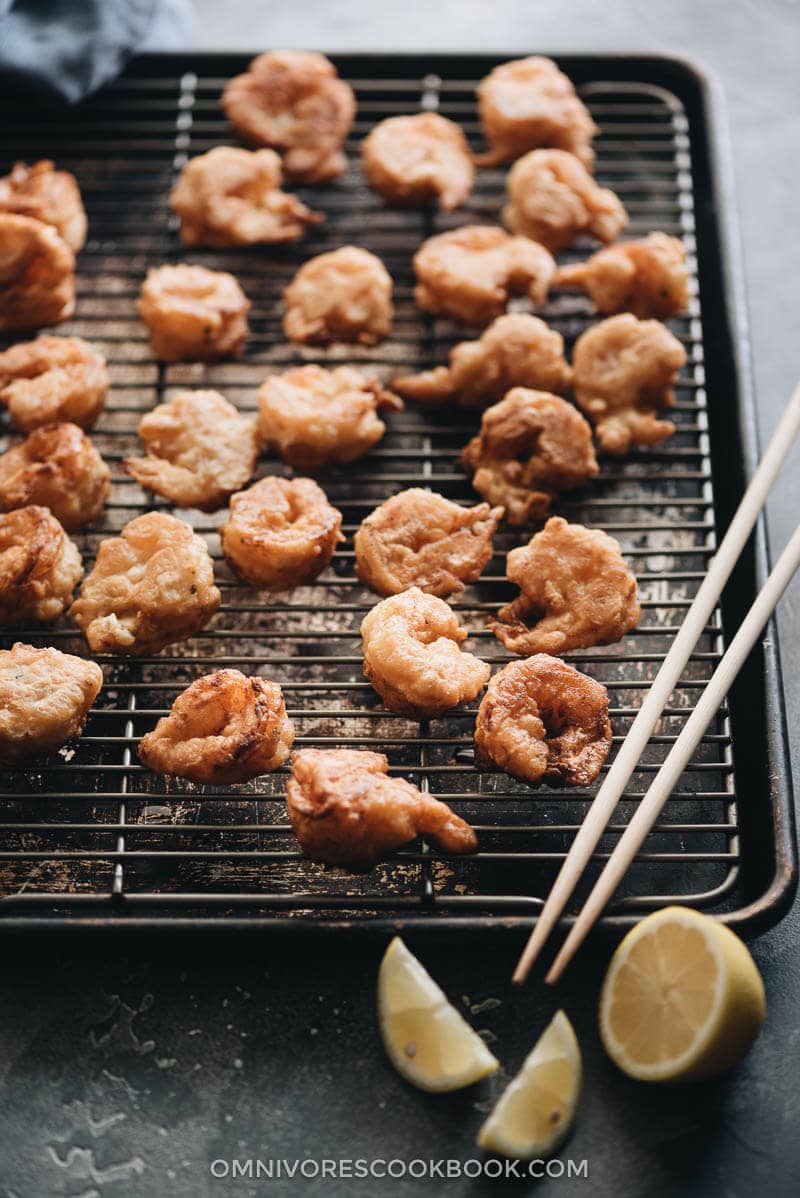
347, 810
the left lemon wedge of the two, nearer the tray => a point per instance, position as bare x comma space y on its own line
427, 1040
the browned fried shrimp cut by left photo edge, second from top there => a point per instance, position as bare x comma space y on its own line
38, 275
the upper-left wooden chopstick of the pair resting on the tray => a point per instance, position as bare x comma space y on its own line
656, 700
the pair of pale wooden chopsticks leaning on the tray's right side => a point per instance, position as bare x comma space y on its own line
641, 730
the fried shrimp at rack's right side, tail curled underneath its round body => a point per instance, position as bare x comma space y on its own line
623, 373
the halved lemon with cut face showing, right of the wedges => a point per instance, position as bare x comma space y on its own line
682, 999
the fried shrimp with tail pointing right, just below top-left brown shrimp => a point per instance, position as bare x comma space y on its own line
232, 197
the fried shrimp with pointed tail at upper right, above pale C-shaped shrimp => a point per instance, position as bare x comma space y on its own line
421, 540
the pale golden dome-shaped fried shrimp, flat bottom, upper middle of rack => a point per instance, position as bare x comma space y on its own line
342, 297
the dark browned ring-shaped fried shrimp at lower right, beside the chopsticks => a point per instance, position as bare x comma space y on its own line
543, 721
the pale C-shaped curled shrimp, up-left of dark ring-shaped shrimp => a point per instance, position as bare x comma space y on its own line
414, 659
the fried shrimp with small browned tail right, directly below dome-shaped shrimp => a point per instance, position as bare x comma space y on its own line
313, 418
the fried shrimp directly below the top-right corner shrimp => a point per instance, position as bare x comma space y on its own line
554, 199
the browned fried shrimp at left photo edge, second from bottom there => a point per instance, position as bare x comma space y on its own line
40, 567
